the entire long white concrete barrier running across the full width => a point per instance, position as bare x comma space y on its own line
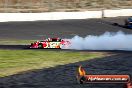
7, 17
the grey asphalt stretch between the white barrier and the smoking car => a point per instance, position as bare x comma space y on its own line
63, 29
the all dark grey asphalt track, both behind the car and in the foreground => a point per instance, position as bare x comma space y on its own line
64, 76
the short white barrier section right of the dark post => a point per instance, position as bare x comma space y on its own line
118, 12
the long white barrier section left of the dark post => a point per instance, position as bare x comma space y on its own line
6, 17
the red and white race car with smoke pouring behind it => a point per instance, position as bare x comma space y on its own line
56, 43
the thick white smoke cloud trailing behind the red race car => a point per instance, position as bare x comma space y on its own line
107, 41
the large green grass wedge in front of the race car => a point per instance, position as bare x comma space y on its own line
17, 61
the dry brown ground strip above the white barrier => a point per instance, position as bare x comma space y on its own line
61, 5
